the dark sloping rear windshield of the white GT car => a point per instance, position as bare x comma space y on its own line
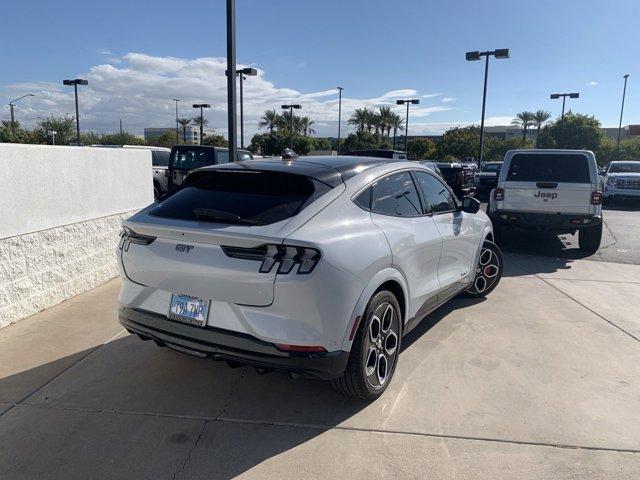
241, 197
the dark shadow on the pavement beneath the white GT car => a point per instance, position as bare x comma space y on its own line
165, 412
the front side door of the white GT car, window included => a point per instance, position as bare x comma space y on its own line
457, 229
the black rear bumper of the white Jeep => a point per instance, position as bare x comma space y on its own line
545, 221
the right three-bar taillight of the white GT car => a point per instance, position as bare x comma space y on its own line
286, 256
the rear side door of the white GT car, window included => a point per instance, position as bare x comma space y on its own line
413, 237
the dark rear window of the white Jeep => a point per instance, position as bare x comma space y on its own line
549, 167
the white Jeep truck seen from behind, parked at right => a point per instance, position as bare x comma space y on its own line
550, 190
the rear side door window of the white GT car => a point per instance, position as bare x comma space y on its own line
396, 195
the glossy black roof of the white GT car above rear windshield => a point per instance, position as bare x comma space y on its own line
332, 170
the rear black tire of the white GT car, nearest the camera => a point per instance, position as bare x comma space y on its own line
355, 382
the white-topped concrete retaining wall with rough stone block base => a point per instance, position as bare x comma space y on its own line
60, 215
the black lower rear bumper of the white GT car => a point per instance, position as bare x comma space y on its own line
219, 344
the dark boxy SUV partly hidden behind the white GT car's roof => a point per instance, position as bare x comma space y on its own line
185, 158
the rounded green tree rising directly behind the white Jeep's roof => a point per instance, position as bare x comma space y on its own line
576, 131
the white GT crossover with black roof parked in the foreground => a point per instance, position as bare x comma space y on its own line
316, 266
